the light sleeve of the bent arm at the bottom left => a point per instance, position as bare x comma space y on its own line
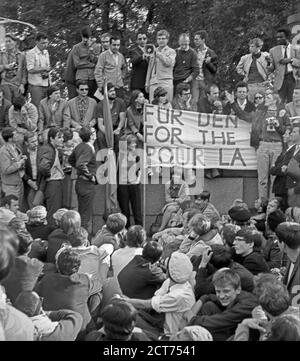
69, 325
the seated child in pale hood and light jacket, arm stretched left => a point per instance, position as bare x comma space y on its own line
175, 297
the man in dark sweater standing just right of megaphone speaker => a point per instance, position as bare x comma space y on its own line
186, 64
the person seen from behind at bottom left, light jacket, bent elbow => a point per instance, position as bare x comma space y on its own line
60, 325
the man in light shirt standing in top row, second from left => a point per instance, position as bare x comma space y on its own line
38, 67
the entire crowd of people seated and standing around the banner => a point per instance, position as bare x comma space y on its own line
197, 275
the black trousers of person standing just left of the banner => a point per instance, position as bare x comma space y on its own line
131, 194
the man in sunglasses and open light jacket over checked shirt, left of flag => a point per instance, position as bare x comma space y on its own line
80, 111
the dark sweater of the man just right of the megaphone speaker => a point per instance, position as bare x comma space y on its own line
186, 64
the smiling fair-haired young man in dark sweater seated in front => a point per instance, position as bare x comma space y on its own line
221, 313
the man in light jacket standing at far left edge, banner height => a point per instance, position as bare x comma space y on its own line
12, 165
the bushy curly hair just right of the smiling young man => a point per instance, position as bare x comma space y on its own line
272, 294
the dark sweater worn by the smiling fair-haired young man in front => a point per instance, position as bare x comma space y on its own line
222, 325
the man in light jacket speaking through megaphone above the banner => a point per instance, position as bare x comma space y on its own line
161, 64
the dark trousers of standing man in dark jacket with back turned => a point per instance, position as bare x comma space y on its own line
85, 191
